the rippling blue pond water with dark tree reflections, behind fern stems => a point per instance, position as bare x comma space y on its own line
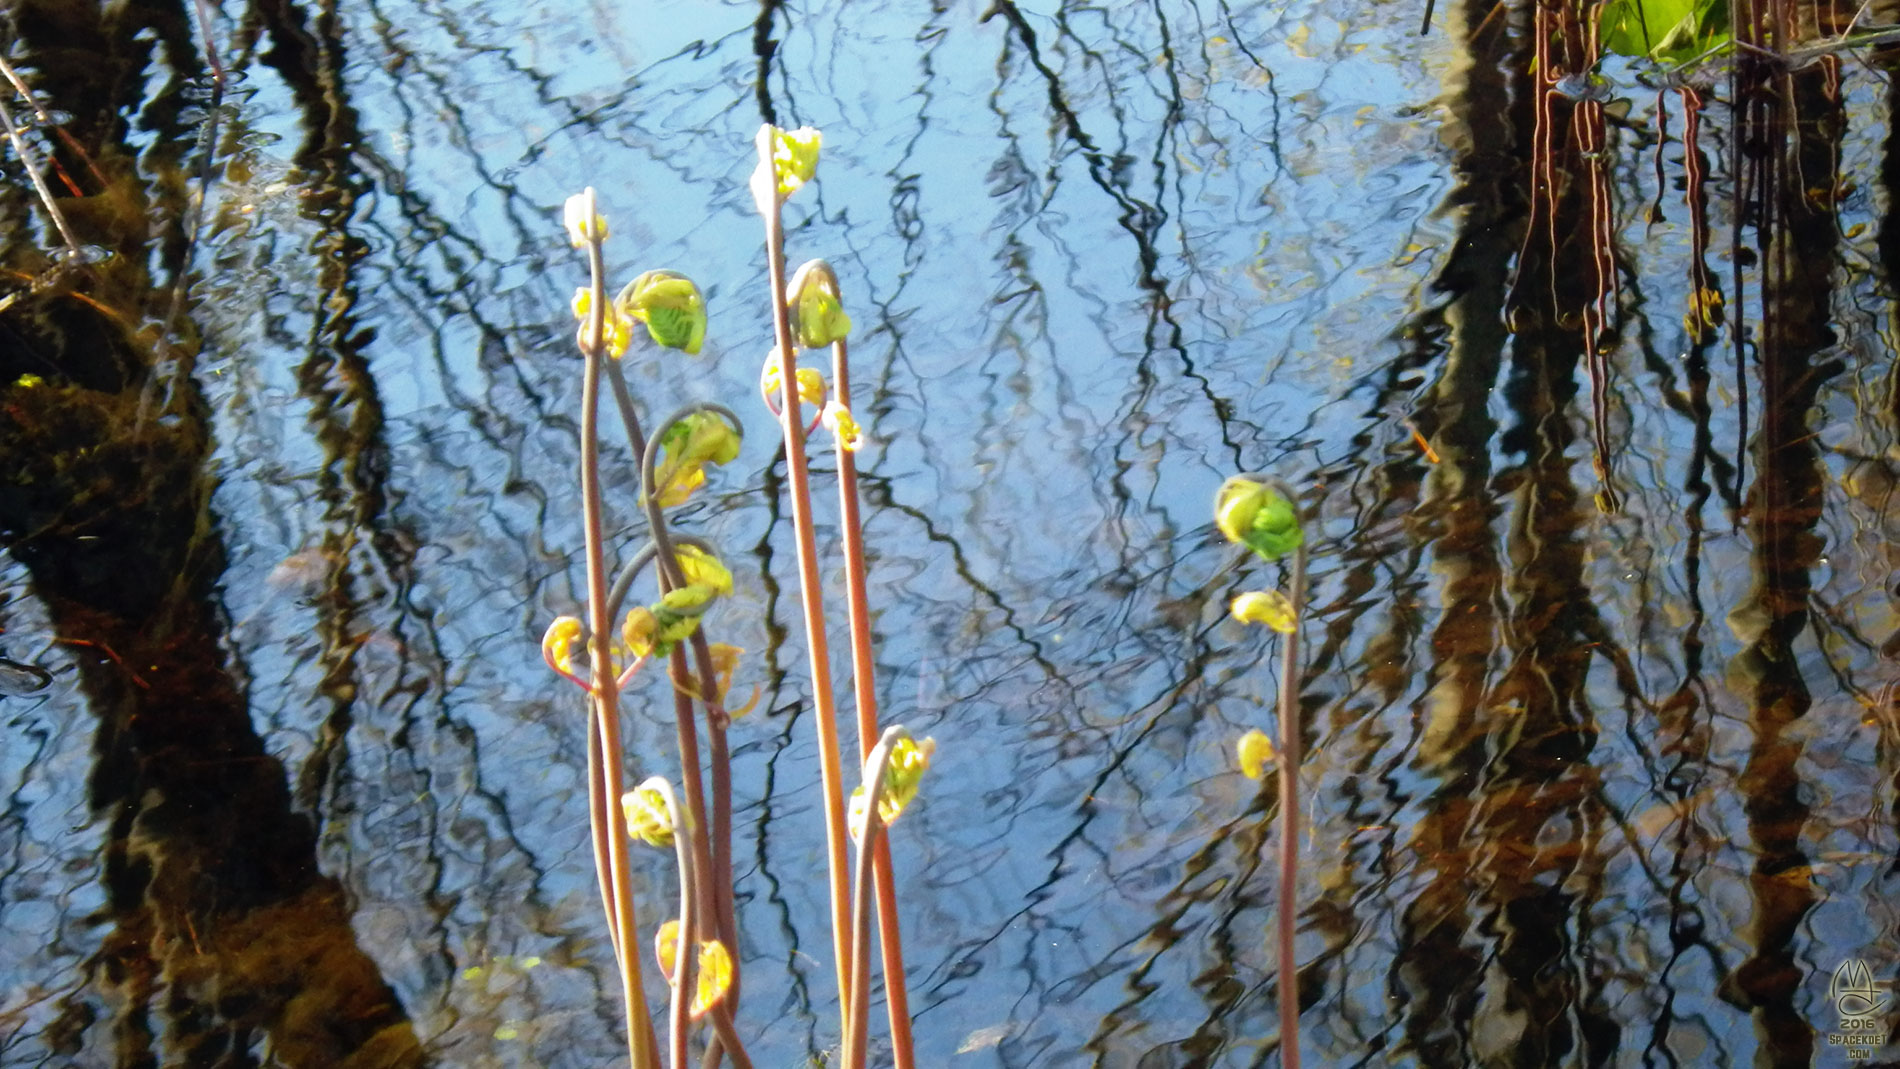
1603, 751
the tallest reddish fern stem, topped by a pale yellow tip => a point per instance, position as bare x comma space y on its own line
831, 772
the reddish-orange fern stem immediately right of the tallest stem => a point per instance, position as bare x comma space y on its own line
865, 694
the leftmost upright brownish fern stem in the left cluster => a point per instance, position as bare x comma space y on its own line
641, 1041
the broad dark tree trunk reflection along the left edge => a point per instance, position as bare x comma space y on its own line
225, 935
